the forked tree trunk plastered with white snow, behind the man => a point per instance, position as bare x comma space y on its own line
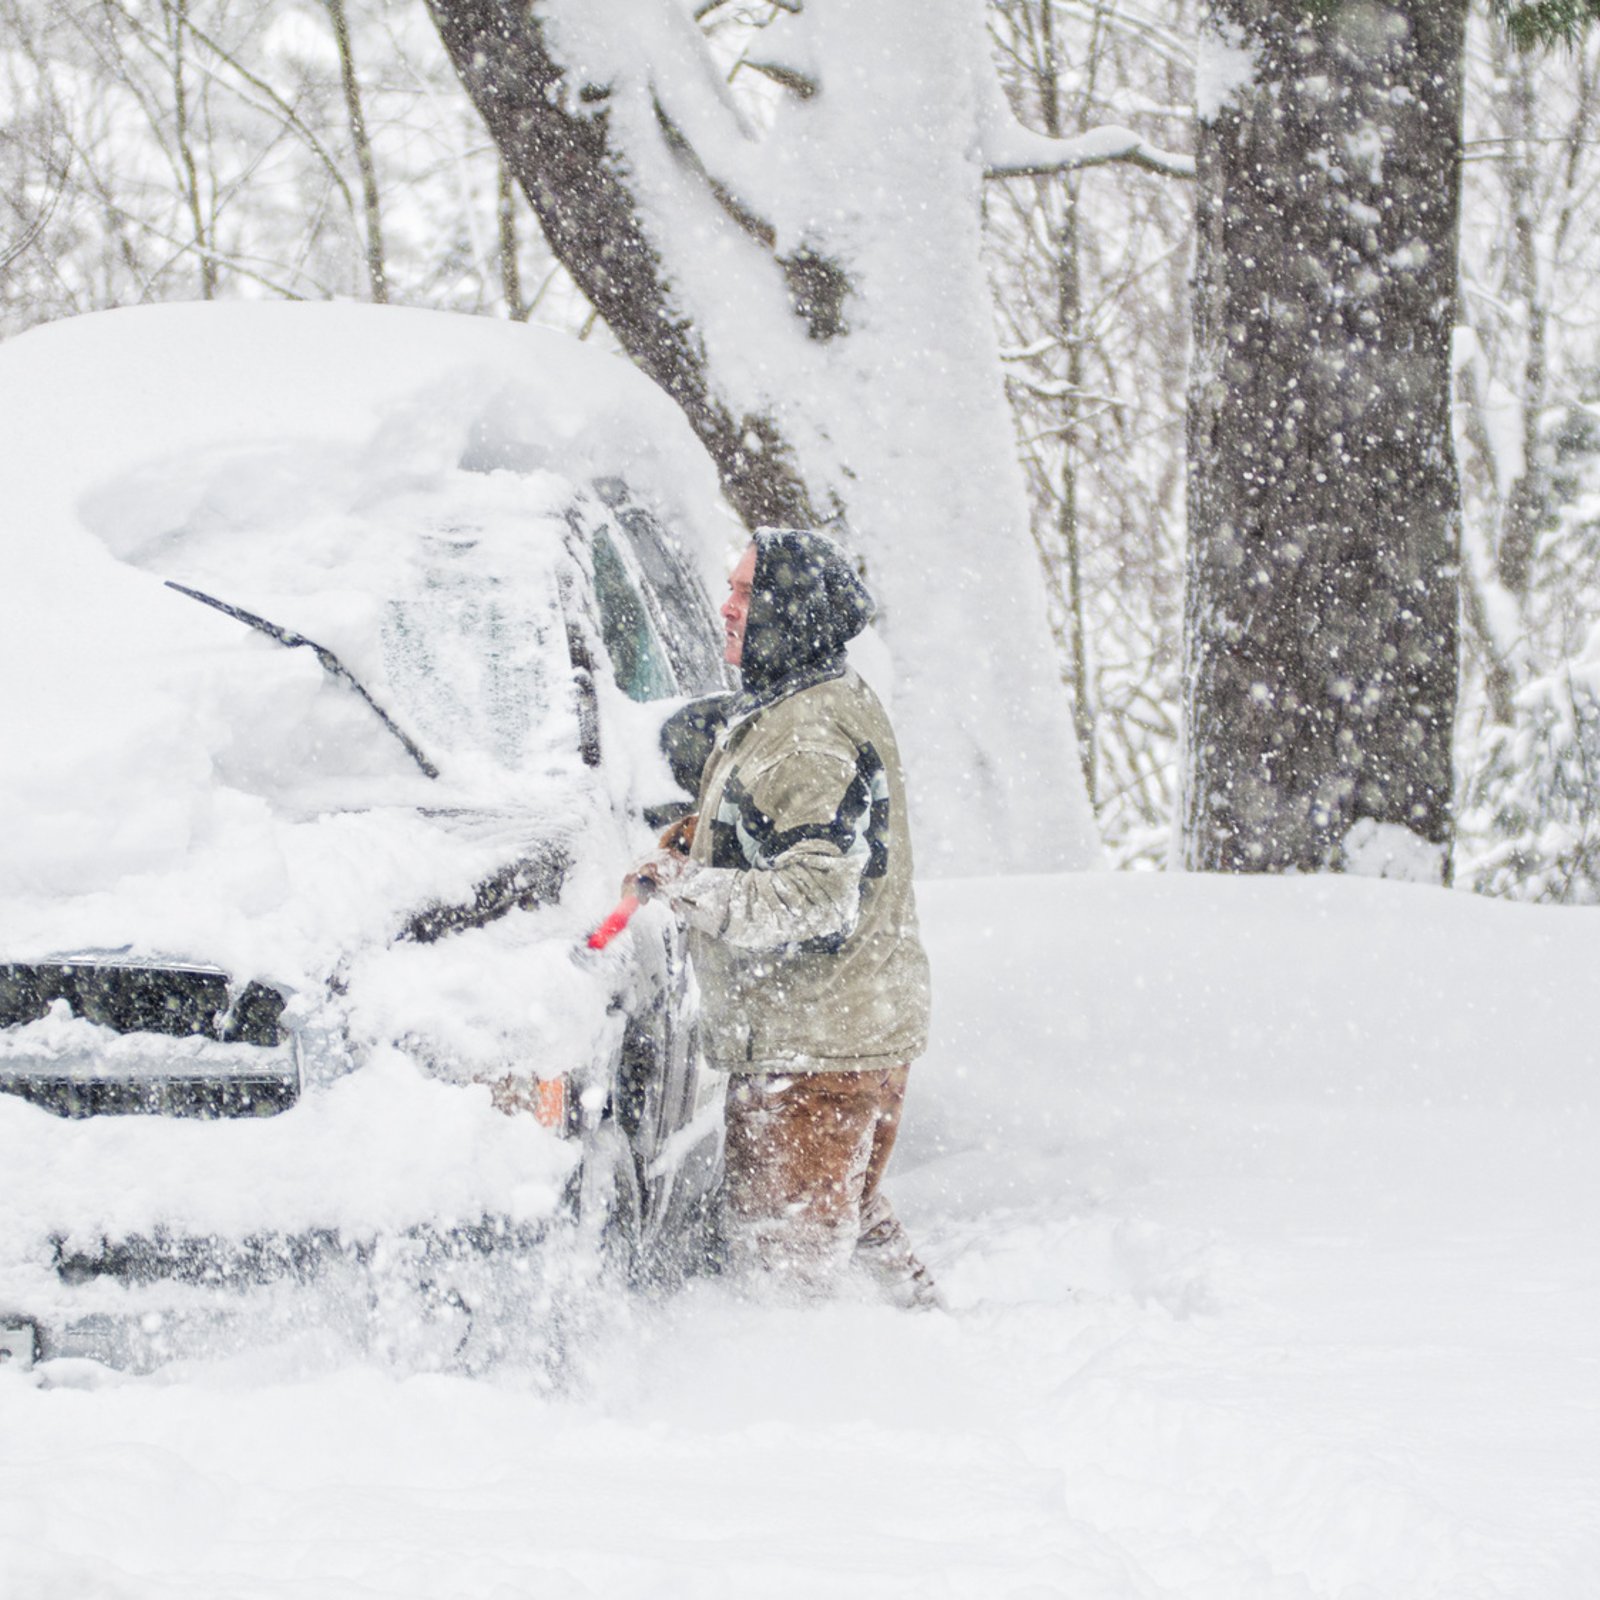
814, 297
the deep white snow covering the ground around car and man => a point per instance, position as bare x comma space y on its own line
1270, 1215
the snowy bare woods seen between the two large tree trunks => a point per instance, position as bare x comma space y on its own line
1092, 292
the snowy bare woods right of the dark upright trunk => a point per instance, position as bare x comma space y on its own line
1529, 386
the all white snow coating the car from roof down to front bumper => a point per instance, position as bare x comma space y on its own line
401, 489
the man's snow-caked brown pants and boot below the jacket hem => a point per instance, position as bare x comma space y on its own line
806, 1164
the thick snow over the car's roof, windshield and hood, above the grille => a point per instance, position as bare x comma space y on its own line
180, 785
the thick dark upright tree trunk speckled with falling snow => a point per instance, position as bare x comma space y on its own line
1322, 586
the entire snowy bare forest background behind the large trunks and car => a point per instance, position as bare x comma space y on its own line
201, 150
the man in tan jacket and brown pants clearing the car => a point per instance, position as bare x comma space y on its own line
796, 882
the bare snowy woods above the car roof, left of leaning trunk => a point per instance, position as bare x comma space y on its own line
220, 146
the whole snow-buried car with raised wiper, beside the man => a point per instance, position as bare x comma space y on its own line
337, 647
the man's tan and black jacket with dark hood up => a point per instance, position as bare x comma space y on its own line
799, 889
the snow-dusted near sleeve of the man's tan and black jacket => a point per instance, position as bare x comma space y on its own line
802, 830
